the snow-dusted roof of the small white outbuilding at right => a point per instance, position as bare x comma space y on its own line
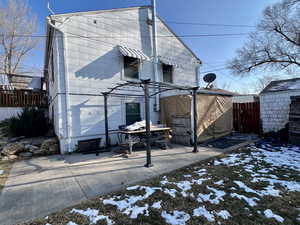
282, 85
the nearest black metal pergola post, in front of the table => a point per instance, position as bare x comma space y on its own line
147, 118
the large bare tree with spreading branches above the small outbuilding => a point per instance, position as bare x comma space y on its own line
276, 42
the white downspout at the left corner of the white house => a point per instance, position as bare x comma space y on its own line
66, 86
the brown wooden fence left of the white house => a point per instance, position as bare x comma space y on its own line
23, 98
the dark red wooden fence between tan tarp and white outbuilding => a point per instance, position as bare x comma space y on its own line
246, 117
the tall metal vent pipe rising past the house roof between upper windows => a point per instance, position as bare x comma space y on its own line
154, 51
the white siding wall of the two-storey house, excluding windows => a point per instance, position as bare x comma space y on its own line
92, 63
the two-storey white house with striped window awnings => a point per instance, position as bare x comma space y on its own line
89, 52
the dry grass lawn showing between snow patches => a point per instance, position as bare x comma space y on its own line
241, 212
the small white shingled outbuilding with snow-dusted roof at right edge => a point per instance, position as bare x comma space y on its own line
275, 102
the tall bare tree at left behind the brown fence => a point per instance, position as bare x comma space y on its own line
17, 25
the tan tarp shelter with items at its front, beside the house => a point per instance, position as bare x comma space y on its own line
214, 109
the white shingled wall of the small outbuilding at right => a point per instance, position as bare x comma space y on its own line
275, 108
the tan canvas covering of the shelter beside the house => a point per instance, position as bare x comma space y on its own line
214, 113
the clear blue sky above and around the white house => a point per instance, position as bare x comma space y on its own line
213, 51
